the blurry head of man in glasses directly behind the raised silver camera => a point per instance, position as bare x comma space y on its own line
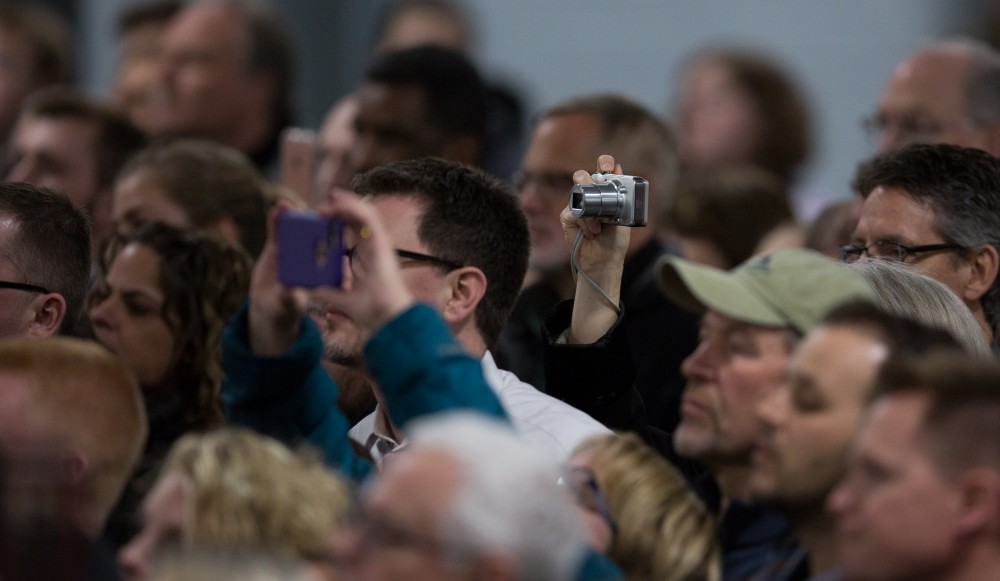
569, 136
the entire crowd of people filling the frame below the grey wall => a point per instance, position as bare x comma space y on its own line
498, 387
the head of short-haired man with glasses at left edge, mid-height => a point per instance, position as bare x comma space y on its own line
44, 244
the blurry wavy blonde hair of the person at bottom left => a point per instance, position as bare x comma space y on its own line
248, 490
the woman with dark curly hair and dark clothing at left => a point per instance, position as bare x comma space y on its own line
160, 303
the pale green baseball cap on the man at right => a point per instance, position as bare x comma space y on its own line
788, 288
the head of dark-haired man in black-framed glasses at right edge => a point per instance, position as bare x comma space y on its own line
936, 207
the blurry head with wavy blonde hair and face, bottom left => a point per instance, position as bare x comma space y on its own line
233, 489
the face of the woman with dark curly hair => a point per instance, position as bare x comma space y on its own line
127, 315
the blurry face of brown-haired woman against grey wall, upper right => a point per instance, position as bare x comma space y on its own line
718, 123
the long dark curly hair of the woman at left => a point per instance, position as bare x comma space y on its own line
204, 280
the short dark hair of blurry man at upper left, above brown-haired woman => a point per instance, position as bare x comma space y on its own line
117, 137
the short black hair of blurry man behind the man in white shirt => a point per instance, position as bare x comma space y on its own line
455, 93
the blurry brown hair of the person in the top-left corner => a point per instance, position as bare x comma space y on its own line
50, 38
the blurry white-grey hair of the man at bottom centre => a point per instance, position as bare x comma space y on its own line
509, 501
